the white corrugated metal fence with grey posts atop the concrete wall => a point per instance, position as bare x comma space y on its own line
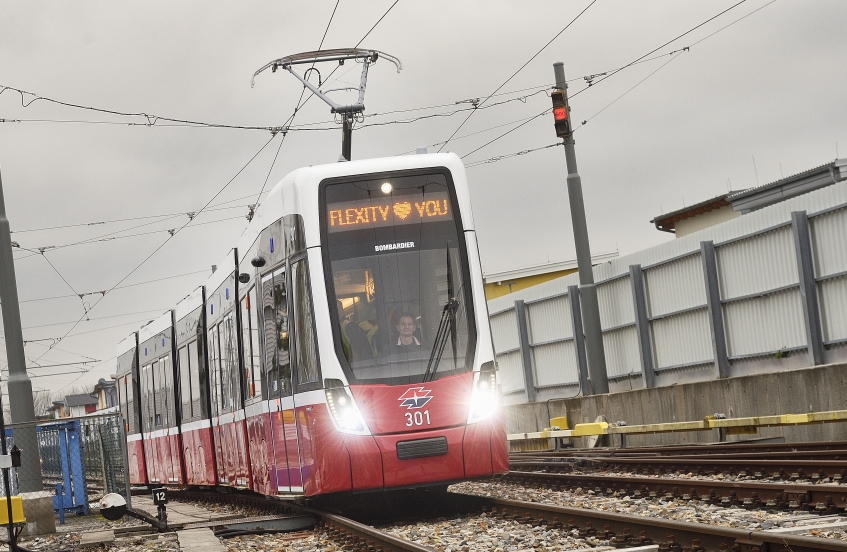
763, 292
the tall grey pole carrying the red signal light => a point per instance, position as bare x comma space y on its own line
588, 292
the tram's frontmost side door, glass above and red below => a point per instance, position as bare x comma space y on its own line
278, 380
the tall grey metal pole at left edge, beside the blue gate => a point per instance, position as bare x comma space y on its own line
19, 384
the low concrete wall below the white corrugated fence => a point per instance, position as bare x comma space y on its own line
814, 389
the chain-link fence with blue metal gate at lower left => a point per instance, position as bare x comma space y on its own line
67, 465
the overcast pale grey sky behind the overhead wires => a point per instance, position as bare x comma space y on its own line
770, 87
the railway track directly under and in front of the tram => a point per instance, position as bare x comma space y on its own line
619, 530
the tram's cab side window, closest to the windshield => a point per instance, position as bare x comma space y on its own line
304, 328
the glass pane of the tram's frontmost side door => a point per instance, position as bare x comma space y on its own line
275, 315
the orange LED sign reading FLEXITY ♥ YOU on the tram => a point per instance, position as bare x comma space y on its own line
372, 213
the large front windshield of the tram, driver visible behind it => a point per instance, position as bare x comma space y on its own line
398, 279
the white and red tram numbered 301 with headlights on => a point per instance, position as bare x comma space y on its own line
344, 345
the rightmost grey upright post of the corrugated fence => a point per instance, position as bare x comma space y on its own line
808, 287
